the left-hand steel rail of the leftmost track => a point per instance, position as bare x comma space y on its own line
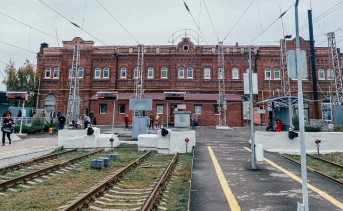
32, 161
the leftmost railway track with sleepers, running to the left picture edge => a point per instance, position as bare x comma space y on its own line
24, 175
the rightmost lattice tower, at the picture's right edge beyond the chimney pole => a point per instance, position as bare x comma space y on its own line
336, 82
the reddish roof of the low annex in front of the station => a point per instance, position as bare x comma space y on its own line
189, 97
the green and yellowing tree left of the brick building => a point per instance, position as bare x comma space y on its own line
25, 79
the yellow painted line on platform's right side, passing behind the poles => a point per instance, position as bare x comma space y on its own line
311, 187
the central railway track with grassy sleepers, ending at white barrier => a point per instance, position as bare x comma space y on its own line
134, 187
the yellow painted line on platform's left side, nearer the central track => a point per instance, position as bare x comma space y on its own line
225, 186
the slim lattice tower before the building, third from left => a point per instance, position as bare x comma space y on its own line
221, 86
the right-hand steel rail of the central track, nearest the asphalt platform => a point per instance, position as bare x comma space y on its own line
160, 186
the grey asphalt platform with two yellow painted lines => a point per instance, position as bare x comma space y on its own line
267, 188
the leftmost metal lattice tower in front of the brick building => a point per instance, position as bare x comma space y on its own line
74, 86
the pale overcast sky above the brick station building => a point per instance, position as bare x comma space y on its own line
152, 22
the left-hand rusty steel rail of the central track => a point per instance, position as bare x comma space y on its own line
84, 200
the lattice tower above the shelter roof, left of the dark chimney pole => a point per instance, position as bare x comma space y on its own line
285, 85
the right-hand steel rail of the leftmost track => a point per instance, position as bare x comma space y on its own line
15, 181
